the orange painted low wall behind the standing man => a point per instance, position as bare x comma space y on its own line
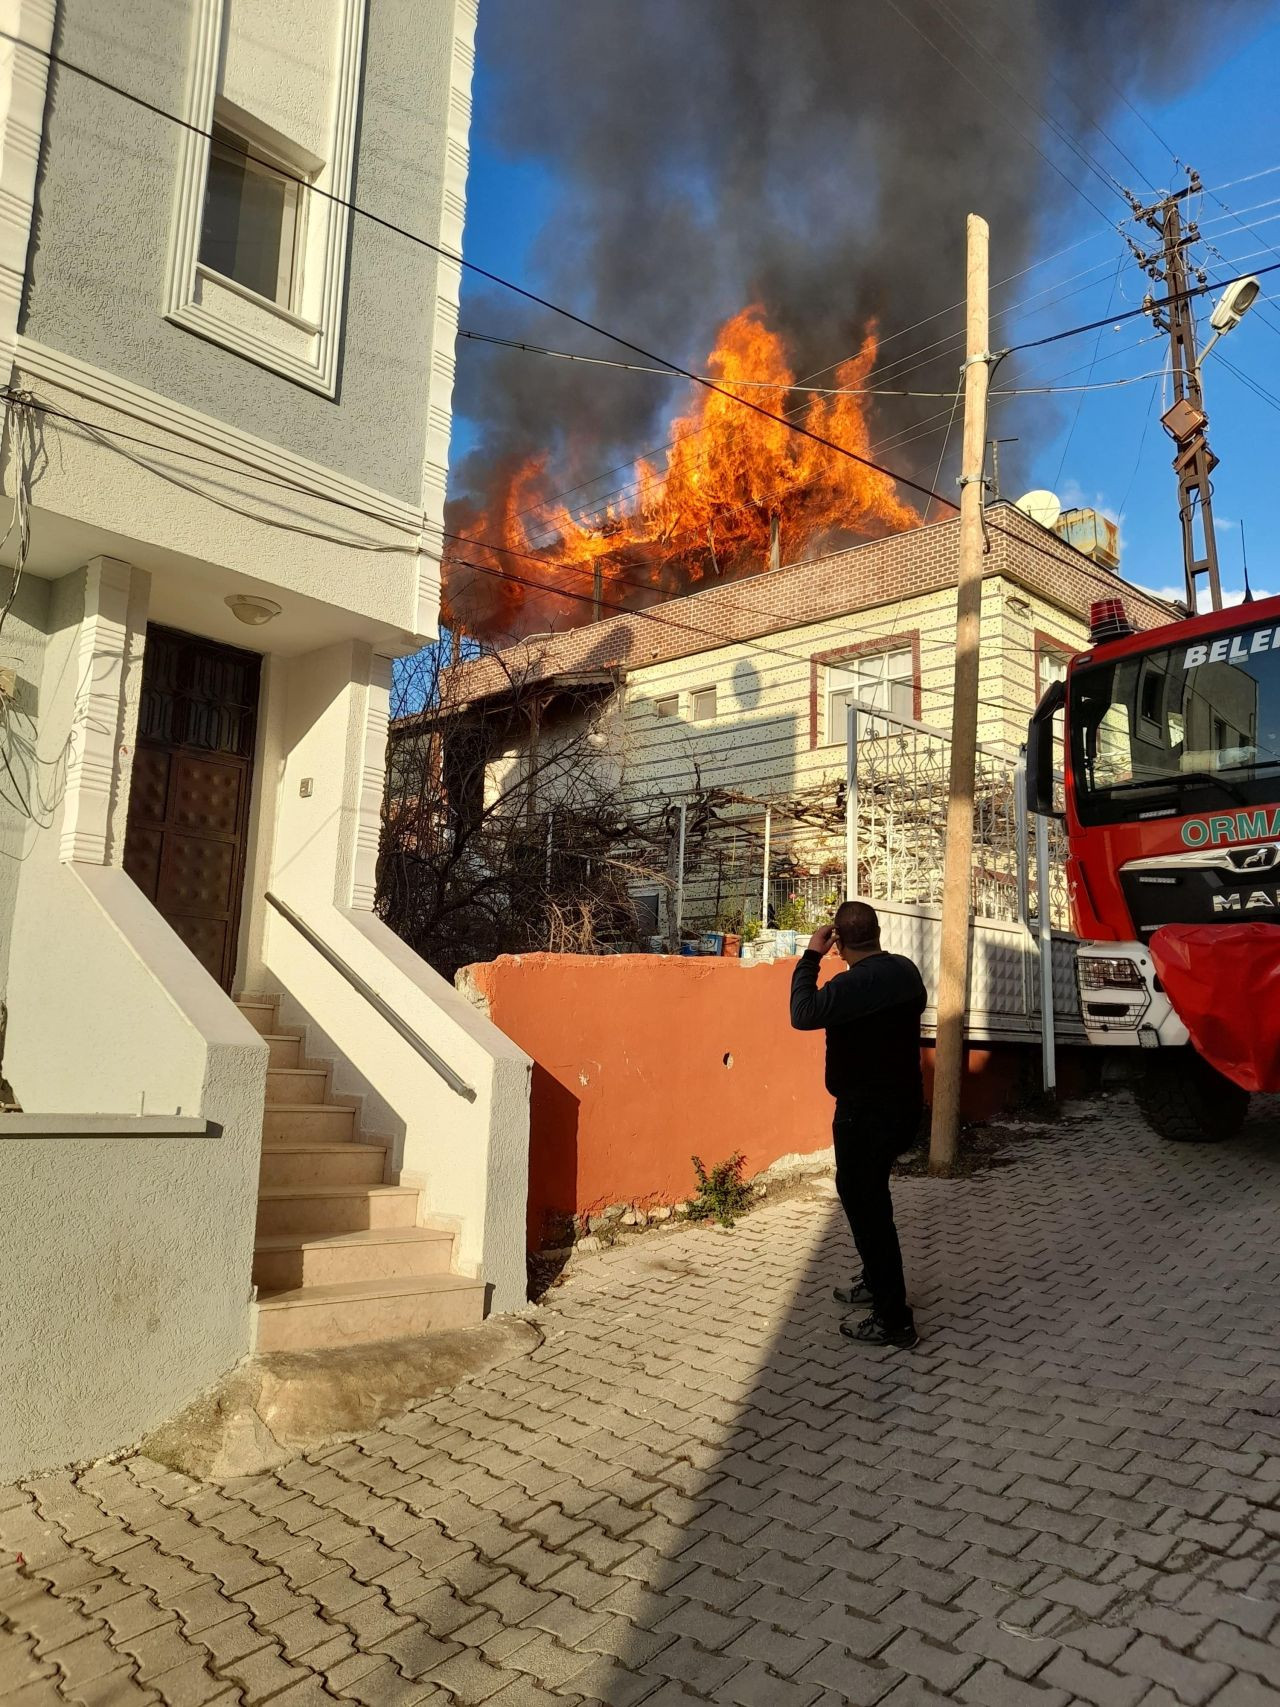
644, 1061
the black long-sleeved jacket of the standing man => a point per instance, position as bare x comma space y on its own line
871, 1015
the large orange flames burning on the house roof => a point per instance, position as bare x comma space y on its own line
731, 479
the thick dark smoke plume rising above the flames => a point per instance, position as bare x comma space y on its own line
813, 156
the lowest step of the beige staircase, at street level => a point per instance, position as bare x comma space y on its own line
358, 1312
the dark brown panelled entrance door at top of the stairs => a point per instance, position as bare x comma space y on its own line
189, 819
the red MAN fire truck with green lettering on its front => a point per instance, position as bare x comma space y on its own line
1168, 747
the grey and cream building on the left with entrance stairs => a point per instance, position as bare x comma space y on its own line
230, 373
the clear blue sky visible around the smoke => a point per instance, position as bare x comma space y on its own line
1114, 453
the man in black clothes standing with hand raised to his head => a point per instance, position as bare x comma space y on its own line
871, 1017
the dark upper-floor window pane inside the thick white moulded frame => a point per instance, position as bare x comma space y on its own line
253, 219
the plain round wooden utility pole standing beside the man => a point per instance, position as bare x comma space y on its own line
957, 885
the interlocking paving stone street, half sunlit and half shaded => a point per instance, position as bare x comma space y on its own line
697, 1491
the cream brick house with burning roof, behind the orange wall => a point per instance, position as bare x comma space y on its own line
694, 755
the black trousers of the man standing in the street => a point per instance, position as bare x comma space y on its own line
868, 1139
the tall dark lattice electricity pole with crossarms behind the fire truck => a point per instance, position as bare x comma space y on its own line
1185, 421
